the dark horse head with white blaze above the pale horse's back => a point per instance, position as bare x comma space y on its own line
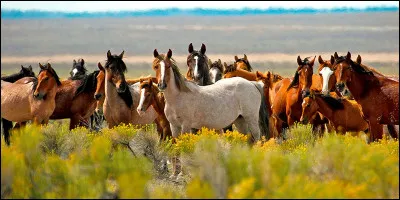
198, 69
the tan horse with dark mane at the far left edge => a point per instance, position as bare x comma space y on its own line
34, 100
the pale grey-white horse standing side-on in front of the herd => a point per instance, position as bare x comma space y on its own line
235, 100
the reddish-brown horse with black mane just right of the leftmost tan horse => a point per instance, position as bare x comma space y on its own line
75, 100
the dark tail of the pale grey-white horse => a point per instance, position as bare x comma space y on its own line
263, 119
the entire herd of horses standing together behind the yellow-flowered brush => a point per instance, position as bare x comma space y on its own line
344, 95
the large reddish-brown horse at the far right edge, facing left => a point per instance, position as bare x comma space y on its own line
379, 101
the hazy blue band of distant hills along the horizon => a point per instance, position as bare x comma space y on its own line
18, 14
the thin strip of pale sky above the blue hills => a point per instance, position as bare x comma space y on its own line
78, 6
